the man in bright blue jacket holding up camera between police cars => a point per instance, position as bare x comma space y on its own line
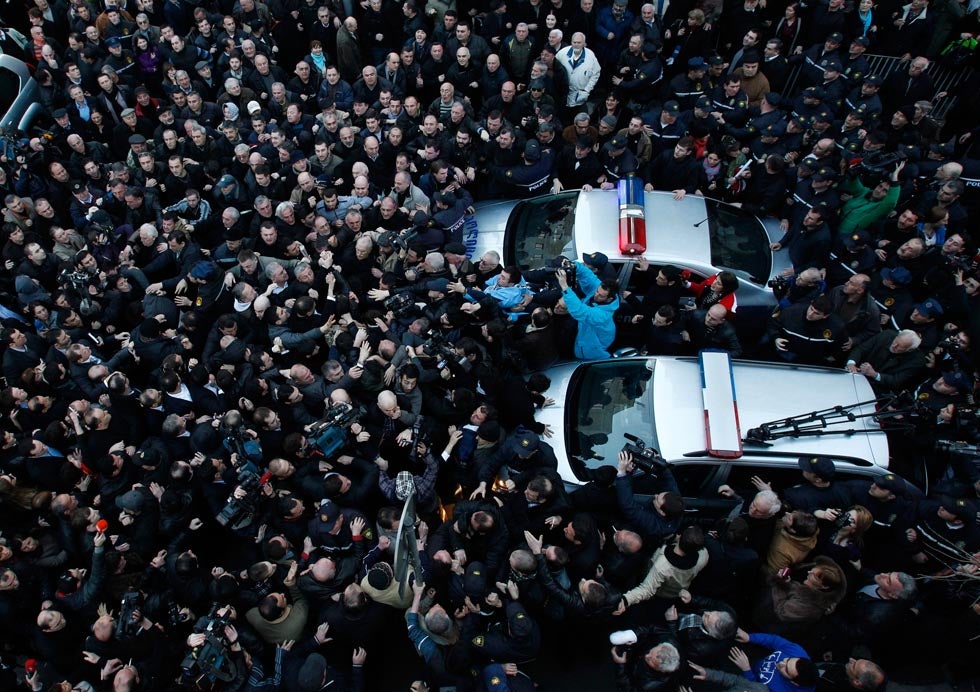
594, 314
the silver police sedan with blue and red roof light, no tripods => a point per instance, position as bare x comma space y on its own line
700, 234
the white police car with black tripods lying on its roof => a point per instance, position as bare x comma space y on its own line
714, 421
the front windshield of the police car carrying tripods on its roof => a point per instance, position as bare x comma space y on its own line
606, 400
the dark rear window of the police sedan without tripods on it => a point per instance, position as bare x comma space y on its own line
739, 242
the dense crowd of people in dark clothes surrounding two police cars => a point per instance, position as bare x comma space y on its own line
241, 328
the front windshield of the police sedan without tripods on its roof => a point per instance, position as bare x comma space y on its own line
540, 229
